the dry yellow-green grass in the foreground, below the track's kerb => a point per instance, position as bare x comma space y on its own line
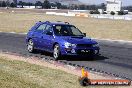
19, 74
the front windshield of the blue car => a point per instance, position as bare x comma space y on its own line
67, 30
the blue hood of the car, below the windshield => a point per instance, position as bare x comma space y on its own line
78, 40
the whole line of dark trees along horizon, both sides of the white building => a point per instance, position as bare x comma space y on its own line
47, 5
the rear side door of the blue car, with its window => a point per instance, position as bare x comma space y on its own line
37, 35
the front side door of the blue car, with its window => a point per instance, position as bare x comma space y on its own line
48, 38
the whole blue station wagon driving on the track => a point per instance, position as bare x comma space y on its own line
60, 38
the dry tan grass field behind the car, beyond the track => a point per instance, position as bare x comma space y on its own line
95, 28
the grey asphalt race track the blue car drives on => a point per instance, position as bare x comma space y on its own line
116, 57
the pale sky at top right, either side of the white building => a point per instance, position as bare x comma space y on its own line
124, 2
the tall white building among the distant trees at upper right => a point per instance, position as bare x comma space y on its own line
113, 5
